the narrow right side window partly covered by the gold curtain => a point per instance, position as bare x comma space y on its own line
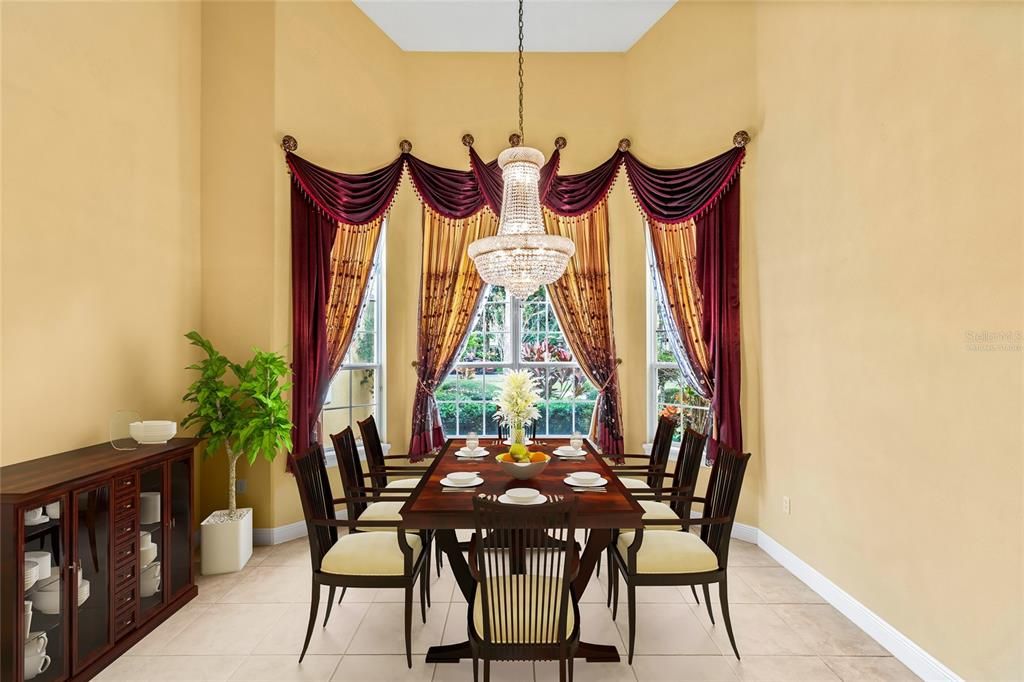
668, 385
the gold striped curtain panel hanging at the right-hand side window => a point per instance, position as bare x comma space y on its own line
674, 247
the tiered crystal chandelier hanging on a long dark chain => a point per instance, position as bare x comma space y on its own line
523, 257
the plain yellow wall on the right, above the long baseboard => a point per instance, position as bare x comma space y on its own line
889, 217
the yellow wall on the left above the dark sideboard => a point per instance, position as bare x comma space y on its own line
101, 218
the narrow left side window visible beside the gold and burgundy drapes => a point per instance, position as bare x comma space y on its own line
357, 391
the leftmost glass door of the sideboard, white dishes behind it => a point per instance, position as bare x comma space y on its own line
47, 569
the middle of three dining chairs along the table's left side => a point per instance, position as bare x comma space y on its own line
370, 503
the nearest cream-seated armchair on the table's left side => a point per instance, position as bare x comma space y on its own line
390, 559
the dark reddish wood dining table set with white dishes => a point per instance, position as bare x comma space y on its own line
432, 508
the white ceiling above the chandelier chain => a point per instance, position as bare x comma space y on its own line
491, 26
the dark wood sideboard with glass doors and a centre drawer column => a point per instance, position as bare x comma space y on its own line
116, 519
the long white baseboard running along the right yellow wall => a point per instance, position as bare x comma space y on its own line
903, 648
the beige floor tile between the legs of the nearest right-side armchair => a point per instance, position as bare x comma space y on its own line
666, 631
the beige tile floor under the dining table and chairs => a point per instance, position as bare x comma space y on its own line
250, 626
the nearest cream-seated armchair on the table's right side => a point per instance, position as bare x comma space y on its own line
655, 556
